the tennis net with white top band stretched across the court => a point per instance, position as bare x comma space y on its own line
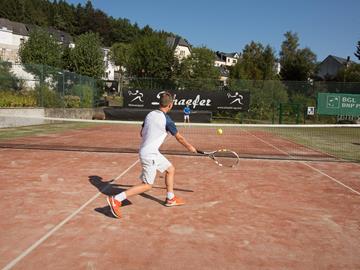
288, 142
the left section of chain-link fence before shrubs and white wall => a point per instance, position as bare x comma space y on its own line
44, 86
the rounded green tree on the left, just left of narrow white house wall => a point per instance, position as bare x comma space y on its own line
87, 56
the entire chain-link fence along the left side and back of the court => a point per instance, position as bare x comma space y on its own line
270, 101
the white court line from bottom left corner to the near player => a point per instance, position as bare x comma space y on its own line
62, 223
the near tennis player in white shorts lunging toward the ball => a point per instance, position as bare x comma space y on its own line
154, 131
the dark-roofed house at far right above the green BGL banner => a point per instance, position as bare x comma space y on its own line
331, 65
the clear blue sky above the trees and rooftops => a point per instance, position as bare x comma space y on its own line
330, 27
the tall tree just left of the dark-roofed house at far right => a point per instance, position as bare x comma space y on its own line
296, 64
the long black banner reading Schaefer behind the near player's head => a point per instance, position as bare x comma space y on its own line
197, 100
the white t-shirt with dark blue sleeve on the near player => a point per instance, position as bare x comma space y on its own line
154, 131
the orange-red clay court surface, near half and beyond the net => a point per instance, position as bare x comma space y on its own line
263, 214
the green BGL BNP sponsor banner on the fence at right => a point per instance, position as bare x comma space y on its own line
338, 104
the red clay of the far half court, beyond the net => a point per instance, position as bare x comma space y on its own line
126, 138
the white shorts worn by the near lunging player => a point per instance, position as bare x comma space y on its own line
151, 165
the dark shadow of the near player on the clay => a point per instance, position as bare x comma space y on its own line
109, 188
